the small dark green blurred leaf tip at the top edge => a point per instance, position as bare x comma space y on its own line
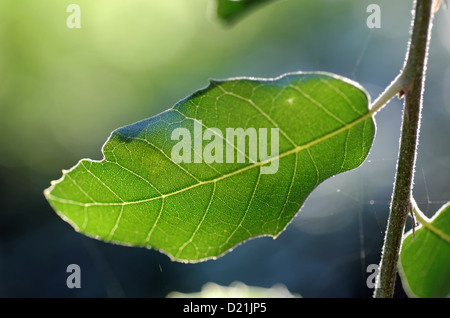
231, 10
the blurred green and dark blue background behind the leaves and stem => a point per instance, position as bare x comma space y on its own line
62, 91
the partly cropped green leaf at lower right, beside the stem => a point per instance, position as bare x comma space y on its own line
424, 263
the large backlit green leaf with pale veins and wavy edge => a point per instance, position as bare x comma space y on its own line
138, 195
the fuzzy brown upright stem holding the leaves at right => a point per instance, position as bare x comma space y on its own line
412, 77
